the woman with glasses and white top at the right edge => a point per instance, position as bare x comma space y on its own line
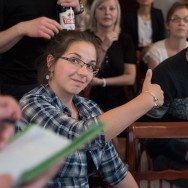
177, 26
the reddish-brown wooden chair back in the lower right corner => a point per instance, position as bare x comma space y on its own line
139, 130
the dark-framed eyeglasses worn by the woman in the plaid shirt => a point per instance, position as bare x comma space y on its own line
79, 63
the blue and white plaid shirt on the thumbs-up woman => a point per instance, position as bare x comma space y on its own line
43, 107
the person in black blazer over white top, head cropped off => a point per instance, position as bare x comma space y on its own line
146, 26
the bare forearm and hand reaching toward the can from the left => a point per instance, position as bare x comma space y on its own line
42, 27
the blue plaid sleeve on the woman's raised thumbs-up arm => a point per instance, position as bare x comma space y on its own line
38, 109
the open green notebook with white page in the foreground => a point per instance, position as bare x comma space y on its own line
36, 149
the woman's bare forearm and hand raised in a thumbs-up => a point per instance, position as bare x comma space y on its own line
118, 119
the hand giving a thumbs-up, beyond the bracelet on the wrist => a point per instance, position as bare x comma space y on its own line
153, 89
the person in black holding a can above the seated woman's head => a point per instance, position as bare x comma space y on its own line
25, 29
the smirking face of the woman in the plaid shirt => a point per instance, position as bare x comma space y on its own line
72, 78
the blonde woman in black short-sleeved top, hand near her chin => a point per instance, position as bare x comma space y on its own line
118, 68
